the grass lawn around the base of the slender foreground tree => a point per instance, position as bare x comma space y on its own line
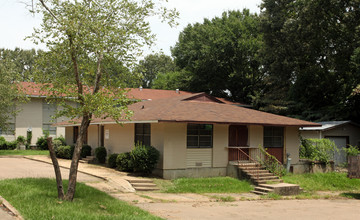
37, 199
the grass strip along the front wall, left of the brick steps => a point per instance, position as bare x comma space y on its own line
206, 185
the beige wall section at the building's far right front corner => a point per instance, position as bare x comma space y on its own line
292, 144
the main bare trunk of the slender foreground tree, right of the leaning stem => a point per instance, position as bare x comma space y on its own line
76, 156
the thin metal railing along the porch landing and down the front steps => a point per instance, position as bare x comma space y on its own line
256, 155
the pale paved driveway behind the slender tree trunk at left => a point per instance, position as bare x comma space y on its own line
21, 168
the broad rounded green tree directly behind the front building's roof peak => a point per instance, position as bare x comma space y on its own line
221, 55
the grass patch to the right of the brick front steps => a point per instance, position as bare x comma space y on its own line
324, 182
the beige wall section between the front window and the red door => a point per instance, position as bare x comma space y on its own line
220, 142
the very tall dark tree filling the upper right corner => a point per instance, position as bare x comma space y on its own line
307, 56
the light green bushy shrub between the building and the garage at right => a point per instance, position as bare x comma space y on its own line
318, 149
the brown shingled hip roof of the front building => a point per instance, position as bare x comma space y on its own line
181, 109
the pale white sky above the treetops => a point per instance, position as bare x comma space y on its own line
16, 22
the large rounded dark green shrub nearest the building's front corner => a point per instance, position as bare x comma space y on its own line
144, 158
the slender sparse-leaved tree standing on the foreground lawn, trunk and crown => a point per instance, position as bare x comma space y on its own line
84, 37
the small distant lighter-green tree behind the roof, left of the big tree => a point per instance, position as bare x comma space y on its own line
154, 65
